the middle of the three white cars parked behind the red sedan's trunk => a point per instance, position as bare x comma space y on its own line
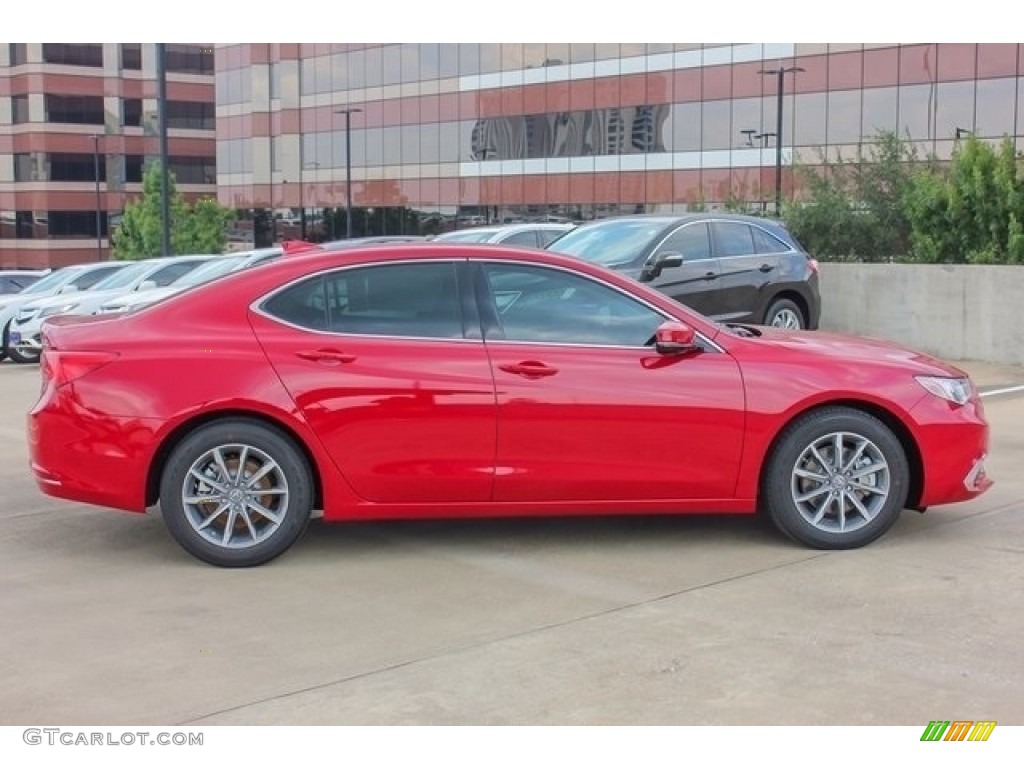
24, 342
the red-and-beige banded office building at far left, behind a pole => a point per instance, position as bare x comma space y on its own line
67, 110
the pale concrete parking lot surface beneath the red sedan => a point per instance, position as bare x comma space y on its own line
656, 621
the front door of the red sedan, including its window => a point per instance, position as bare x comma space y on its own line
587, 410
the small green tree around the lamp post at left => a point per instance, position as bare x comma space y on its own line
195, 229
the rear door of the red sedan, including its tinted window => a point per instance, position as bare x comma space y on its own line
383, 364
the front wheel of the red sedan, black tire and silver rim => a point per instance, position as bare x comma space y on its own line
806, 499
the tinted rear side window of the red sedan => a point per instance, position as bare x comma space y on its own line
414, 301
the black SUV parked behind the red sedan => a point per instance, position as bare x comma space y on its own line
731, 268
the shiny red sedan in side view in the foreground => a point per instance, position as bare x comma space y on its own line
447, 380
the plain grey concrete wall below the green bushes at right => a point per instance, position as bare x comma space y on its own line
954, 312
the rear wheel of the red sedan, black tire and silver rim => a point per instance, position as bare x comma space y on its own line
285, 491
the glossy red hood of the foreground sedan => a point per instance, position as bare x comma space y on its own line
833, 346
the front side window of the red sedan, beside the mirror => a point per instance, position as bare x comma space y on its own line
548, 306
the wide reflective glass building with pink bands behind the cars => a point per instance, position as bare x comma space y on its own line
447, 136
